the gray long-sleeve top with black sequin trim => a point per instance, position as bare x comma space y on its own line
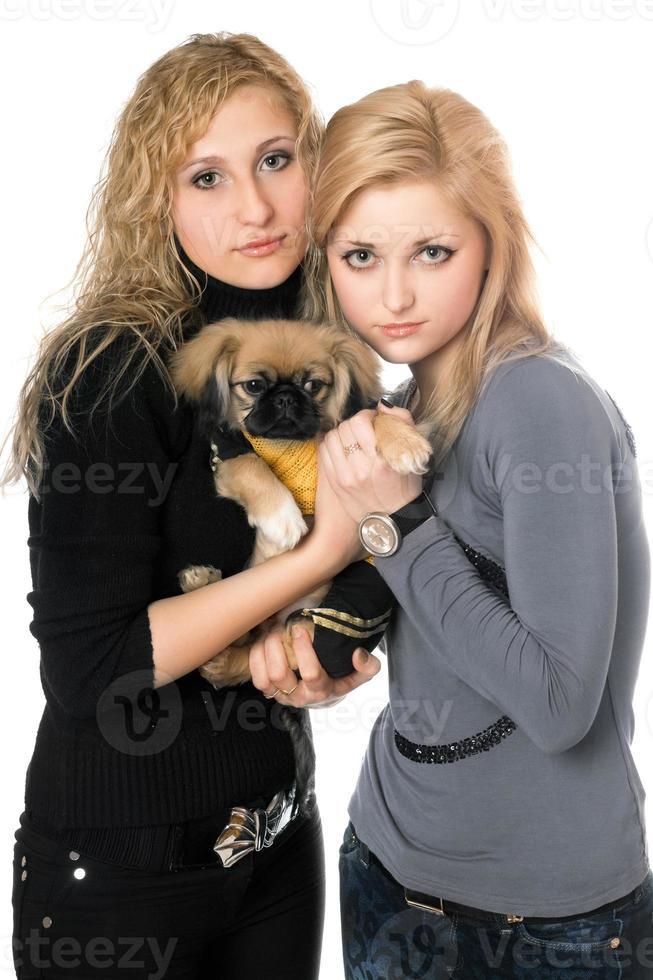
550, 820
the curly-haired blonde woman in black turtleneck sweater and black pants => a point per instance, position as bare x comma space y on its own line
138, 761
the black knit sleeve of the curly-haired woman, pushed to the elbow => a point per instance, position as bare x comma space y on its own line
95, 536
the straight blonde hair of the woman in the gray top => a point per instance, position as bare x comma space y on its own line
408, 132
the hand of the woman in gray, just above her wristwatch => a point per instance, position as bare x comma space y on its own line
362, 480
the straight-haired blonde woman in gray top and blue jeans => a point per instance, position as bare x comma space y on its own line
497, 827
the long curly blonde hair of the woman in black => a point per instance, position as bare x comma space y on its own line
130, 279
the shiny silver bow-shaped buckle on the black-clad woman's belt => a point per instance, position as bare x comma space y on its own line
252, 830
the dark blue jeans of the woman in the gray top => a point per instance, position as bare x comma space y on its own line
384, 938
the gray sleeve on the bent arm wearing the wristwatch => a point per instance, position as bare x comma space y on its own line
548, 460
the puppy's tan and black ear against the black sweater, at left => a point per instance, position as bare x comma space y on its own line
201, 371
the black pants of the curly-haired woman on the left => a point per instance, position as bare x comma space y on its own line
78, 916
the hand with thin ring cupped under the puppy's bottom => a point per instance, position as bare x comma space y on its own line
272, 675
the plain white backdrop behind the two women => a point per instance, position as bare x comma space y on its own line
568, 82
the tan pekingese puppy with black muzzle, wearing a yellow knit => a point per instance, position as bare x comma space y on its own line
280, 383
